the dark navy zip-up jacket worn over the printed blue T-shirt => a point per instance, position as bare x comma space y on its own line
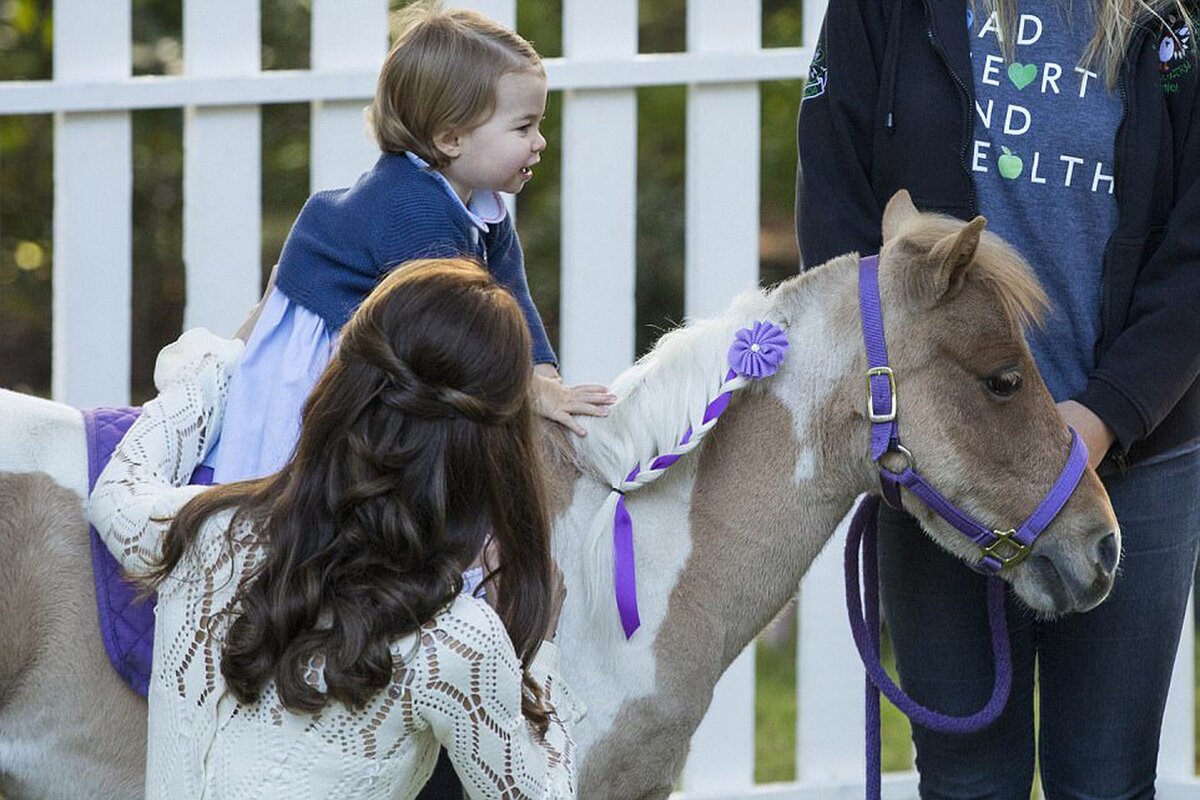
890, 106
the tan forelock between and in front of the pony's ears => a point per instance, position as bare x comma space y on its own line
997, 266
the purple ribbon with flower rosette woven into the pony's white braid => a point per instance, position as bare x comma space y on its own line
757, 353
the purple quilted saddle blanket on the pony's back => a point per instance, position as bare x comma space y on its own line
127, 625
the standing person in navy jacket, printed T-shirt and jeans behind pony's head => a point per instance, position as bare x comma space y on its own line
1076, 130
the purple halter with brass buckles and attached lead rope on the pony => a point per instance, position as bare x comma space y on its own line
999, 549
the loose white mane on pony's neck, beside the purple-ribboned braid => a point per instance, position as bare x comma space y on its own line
665, 392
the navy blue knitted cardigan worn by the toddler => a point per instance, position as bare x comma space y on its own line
347, 239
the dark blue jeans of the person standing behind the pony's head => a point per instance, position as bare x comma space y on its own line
1102, 676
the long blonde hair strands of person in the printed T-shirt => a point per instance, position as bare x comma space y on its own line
1117, 22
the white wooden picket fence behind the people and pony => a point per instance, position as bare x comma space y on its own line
224, 92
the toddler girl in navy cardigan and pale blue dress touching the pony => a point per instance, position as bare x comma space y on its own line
457, 115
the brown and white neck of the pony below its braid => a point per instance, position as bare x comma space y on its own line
722, 539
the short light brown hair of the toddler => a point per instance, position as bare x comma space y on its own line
442, 74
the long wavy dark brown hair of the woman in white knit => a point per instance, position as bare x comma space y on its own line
416, 444
